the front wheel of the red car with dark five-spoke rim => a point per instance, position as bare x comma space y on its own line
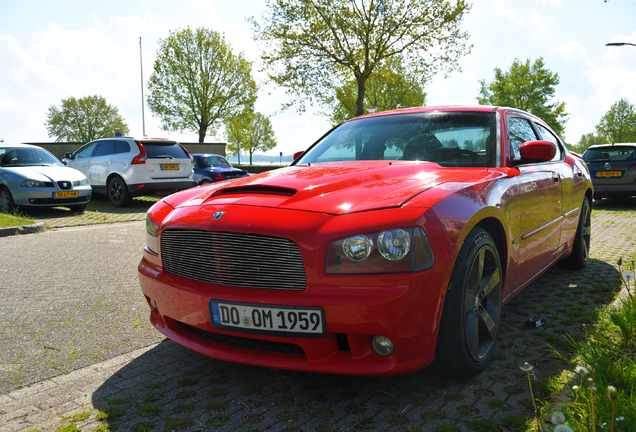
472, 310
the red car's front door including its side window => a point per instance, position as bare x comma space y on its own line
540, 202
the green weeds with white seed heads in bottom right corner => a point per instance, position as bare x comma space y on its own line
604, 395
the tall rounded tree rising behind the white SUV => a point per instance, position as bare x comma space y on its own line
197, 82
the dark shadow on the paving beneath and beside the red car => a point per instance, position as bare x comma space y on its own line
171, 387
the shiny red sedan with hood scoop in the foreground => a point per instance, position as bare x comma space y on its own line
389, 245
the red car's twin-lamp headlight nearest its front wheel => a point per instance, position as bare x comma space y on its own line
398, 250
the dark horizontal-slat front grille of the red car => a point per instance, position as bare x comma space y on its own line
233, 259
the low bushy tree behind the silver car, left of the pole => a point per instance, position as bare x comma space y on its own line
84, 119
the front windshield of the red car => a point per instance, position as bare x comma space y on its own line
455, 139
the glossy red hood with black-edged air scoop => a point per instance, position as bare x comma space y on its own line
333, 188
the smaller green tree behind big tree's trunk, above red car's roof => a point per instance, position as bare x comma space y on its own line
390, 87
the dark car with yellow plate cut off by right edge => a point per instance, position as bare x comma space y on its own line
613, 169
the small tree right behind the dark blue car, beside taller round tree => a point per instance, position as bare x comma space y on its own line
249, 131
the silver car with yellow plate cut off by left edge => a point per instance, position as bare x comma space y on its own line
30, 176
